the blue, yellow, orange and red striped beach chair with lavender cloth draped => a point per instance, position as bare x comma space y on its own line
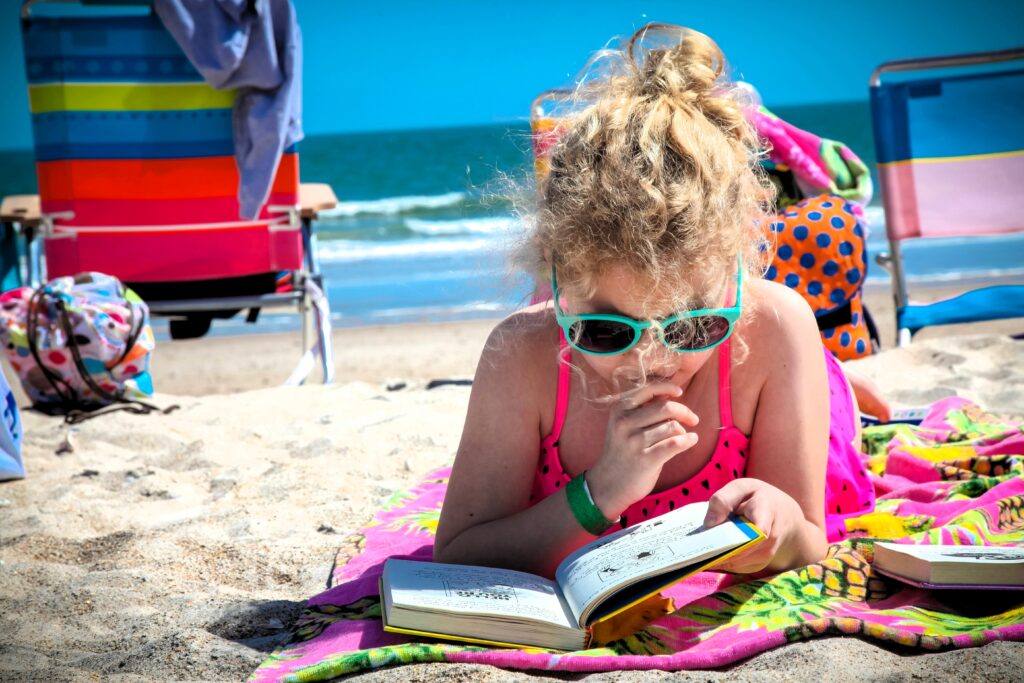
138, 179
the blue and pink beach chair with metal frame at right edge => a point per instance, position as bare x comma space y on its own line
951, 153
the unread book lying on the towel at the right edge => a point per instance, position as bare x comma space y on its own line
953, 567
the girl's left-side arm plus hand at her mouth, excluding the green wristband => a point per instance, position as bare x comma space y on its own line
486, 519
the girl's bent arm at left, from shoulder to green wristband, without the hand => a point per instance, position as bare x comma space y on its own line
486, 520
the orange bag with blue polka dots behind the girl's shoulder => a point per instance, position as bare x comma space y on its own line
820, 252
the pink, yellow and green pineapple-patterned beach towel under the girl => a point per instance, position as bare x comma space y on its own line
958, 479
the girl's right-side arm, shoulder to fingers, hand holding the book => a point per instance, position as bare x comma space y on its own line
784, 494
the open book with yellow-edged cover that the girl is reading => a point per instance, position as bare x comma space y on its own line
595, 583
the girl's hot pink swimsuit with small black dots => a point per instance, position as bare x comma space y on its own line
848, 491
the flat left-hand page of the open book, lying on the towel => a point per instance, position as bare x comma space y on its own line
473, 590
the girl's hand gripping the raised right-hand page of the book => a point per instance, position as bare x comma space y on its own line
772, 510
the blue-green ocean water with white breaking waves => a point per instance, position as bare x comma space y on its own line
425, 222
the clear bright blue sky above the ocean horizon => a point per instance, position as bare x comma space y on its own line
382, 66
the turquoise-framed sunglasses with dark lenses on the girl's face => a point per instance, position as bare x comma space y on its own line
602, 334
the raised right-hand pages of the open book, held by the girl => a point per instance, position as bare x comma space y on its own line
653, 547
